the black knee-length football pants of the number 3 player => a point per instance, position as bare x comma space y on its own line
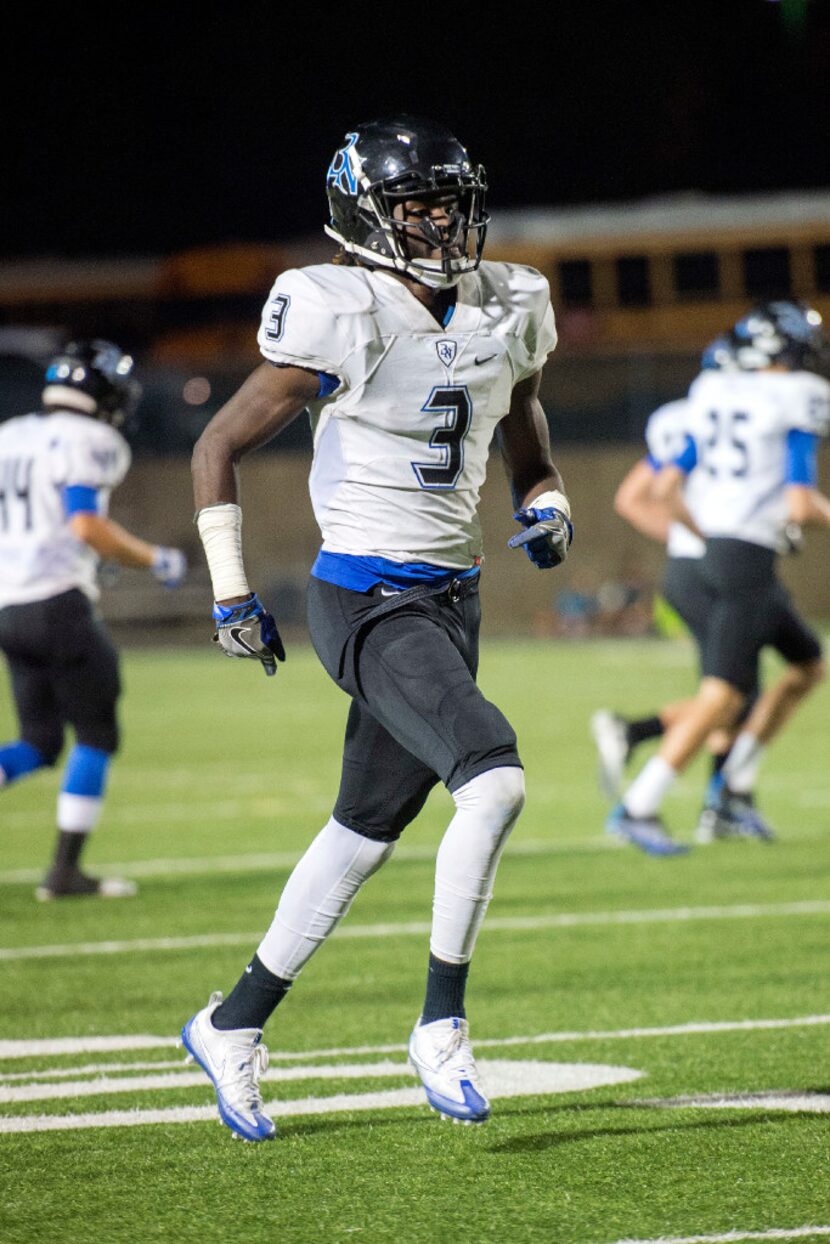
409, 662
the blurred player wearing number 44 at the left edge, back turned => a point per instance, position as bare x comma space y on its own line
58, 470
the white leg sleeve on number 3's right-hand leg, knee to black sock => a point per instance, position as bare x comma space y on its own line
486, 812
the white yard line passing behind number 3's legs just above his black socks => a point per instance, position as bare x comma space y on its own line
495, 925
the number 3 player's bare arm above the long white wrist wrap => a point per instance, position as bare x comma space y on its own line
268, 401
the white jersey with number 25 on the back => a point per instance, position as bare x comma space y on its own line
741, 422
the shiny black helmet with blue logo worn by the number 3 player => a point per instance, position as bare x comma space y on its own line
384, 164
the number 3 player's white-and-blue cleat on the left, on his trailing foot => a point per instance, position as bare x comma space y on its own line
235, 1061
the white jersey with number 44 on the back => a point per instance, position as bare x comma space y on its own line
40, 456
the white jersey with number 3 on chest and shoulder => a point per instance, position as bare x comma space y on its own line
401, 446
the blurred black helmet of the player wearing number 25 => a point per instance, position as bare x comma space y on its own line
781, 334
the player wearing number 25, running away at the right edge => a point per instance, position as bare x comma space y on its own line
753, 439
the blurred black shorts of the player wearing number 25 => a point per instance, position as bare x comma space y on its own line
752, 610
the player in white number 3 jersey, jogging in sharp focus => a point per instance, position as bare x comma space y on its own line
410, 355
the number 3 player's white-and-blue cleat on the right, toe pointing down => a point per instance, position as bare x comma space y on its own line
442, 1057
